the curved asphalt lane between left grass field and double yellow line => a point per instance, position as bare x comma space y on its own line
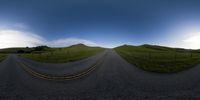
62, 68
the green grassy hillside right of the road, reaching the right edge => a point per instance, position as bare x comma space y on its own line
159, 59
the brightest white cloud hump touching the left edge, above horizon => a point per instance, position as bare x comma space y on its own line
14, 38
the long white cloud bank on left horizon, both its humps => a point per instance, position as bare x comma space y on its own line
15, 38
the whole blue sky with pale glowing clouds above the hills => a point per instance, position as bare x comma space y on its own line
107, 23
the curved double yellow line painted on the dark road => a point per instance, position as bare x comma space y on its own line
64, 77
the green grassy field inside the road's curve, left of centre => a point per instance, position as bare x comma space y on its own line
62, 55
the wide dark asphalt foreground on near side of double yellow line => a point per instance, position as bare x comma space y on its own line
112, 79
